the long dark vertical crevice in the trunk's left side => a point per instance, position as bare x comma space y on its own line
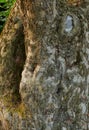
19, 57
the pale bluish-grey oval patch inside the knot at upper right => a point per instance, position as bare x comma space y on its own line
68, 24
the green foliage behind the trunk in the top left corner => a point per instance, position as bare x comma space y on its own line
5, 6
